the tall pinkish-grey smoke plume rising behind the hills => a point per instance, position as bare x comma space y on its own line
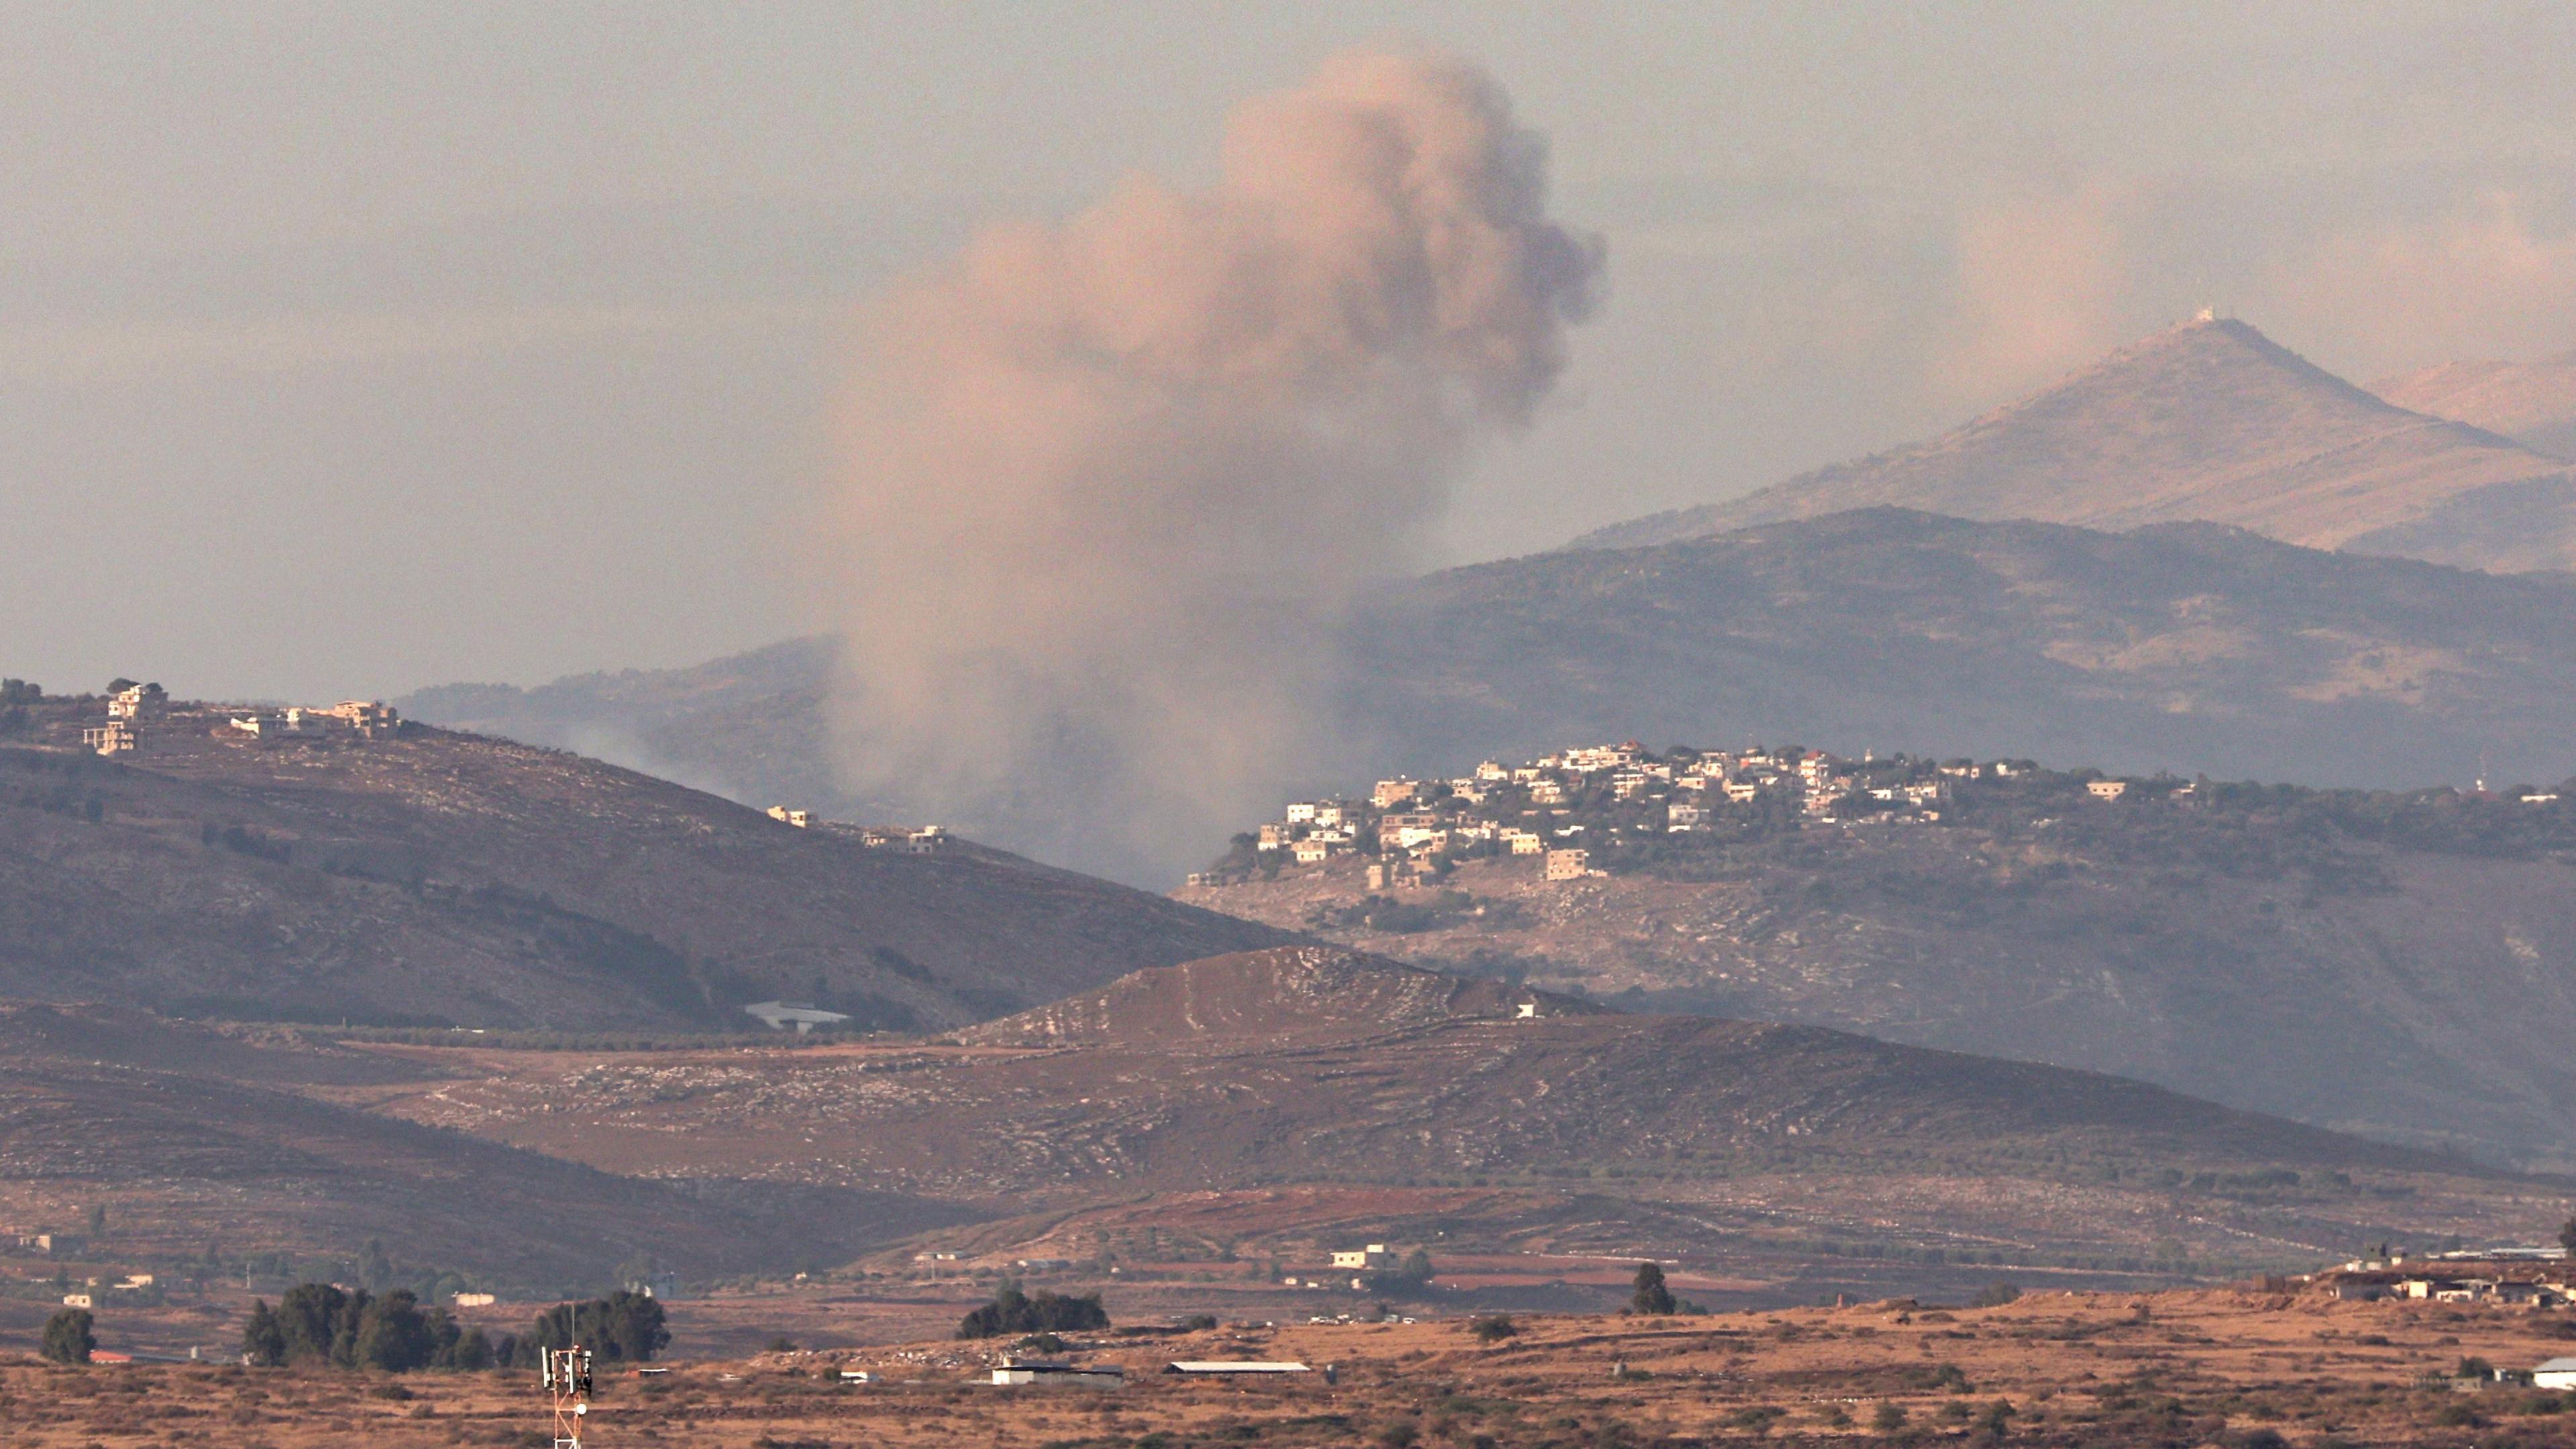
1117, 481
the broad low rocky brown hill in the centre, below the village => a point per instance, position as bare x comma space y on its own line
1320, 1107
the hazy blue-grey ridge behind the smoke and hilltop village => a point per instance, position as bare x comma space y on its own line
2186, 646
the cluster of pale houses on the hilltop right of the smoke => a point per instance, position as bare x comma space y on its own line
1524, 808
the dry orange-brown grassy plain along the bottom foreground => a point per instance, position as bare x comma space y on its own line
2206, 1368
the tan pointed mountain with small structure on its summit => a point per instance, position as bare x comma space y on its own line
2209, 422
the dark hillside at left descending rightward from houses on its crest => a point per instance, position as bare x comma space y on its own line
439, 878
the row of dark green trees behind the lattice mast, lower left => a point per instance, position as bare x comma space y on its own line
354, 1329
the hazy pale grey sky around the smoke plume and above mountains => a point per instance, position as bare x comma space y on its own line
362, 347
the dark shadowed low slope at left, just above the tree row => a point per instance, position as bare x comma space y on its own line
213, 1156
